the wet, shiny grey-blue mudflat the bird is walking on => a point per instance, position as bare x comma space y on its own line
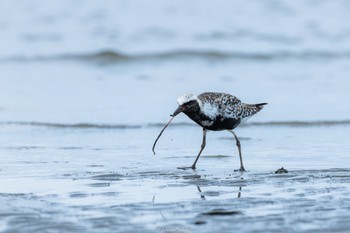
112, 184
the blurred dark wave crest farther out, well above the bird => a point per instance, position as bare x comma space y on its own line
113, 57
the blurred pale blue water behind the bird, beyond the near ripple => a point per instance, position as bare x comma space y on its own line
109, 62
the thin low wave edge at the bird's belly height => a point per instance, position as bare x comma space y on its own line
180, 124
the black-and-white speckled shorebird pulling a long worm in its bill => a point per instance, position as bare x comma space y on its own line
214, 111
